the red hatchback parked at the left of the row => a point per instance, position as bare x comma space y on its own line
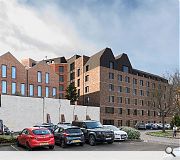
36, 137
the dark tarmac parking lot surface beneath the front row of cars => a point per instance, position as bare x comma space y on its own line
116, 146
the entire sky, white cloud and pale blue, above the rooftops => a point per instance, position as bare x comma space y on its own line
147, 30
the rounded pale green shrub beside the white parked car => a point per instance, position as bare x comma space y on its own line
132, 133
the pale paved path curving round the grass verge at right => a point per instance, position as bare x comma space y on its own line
160, 140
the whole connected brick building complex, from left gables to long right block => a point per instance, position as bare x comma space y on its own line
102, 80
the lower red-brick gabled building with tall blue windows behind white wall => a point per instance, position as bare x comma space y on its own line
28, 78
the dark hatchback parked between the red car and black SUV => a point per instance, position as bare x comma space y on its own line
66, 135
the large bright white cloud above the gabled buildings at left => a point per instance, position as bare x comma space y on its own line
27, 32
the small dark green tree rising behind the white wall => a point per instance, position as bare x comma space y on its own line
71, 93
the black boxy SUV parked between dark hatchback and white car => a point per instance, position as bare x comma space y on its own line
94, 132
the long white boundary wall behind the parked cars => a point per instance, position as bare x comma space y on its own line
20, 112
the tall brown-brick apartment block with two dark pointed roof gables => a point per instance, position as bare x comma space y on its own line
112, 84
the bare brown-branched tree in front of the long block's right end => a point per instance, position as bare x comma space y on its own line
164, 97
